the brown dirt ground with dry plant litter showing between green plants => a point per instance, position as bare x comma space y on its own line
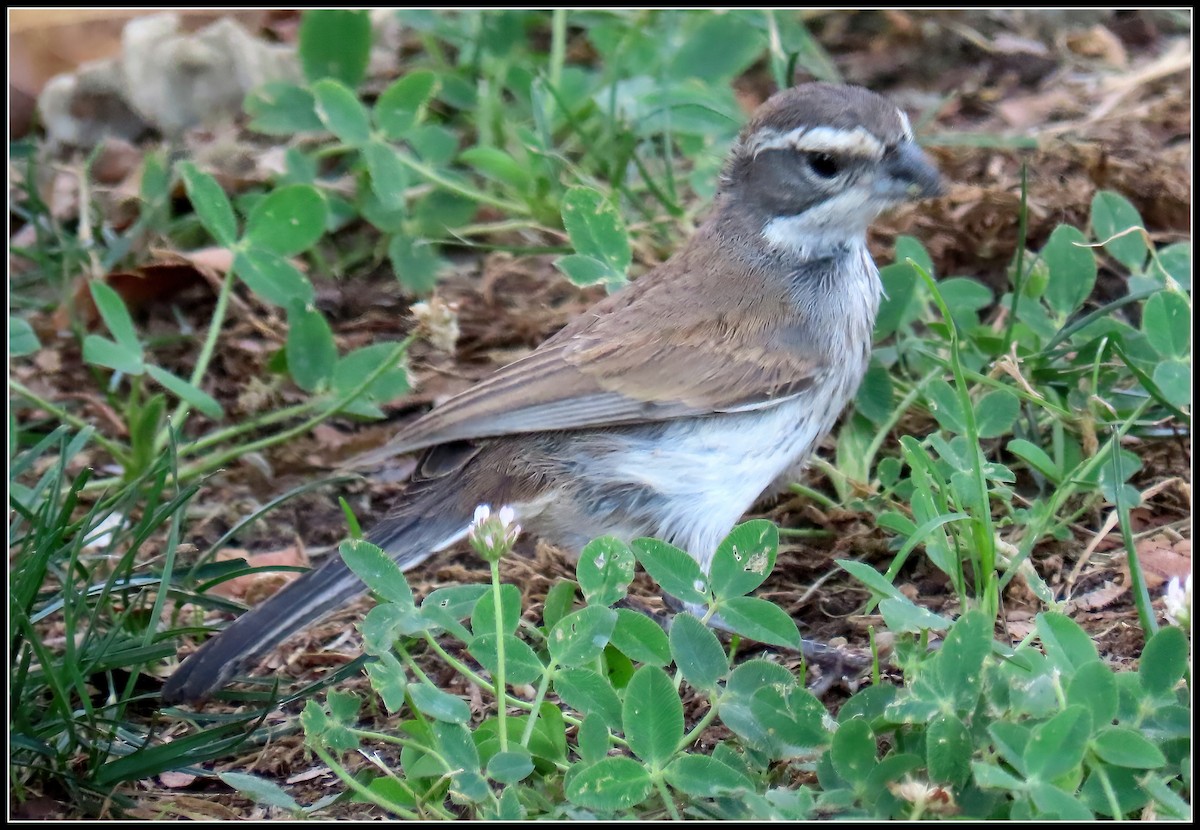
1107, 100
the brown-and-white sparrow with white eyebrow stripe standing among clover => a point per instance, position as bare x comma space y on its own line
669, 407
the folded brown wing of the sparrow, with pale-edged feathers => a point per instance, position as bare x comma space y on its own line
589, 382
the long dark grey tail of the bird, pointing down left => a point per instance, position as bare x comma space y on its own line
410, 538
